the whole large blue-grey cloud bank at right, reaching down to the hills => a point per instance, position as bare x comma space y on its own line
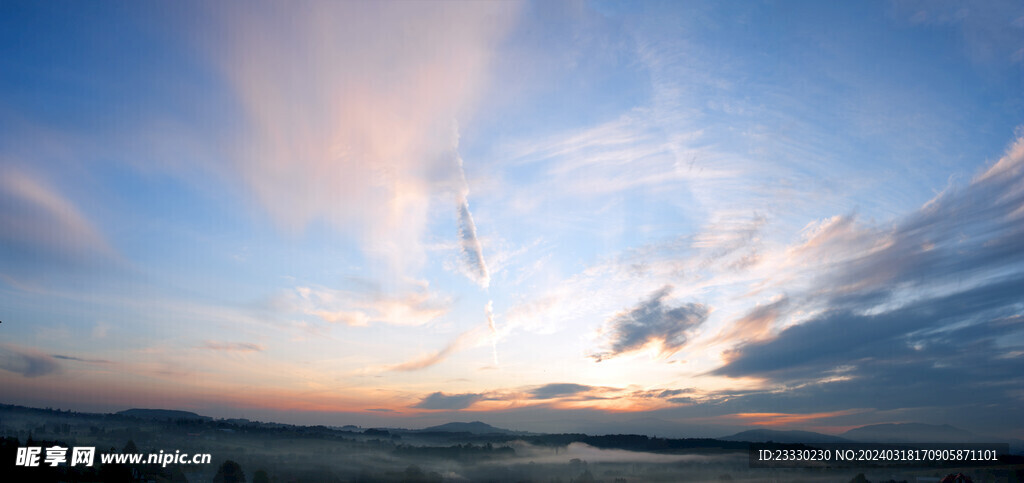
925, 319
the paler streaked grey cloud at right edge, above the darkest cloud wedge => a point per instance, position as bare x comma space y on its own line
966, 233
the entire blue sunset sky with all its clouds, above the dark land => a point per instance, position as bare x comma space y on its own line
798, 215
